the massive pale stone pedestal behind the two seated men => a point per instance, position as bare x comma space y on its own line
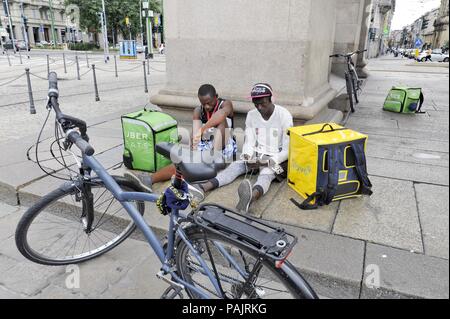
234, 44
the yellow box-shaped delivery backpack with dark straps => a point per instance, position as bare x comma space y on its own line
327, 163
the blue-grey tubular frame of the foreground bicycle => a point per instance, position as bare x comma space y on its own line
125, 197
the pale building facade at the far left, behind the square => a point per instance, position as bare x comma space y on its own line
33, 20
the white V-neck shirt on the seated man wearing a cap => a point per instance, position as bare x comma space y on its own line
268, 137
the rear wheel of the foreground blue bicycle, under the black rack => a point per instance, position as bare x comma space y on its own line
234, 265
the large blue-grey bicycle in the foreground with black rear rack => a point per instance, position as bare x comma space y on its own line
208, 252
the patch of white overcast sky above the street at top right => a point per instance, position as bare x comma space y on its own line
407, 11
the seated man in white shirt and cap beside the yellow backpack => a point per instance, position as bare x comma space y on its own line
266, 148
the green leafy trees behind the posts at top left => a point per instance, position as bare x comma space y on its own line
116, 12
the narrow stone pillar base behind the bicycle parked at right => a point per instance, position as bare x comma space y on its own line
349, 17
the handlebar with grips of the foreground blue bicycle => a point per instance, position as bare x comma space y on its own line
68, 123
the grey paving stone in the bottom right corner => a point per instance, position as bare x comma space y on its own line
405, 275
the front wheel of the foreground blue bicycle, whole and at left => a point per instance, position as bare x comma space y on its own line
52, 232
